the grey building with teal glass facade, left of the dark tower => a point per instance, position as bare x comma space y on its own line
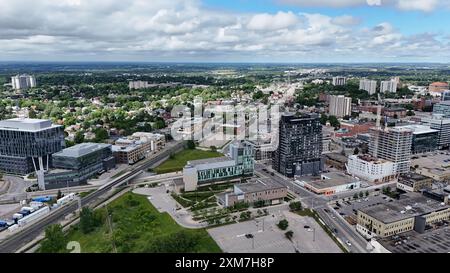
239, 163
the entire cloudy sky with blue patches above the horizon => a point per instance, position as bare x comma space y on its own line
292, 31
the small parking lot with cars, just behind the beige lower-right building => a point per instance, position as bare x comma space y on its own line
349, 208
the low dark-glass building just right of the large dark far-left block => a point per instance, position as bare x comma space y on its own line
75, 165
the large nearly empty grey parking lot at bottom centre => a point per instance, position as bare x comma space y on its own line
266, 237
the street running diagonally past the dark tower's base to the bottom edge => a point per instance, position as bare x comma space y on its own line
319, 203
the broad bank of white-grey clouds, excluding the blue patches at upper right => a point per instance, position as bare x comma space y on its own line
181, 30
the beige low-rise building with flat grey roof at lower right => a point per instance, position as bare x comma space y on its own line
412, 212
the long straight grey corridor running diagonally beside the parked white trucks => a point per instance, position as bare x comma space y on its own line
28, 233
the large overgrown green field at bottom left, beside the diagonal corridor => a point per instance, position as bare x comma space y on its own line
138, 227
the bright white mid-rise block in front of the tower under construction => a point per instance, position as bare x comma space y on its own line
370, 169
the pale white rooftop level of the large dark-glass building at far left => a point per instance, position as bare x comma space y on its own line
26, 124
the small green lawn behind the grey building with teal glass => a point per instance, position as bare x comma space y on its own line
180, 159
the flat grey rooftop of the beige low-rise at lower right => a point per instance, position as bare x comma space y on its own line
409, 205
